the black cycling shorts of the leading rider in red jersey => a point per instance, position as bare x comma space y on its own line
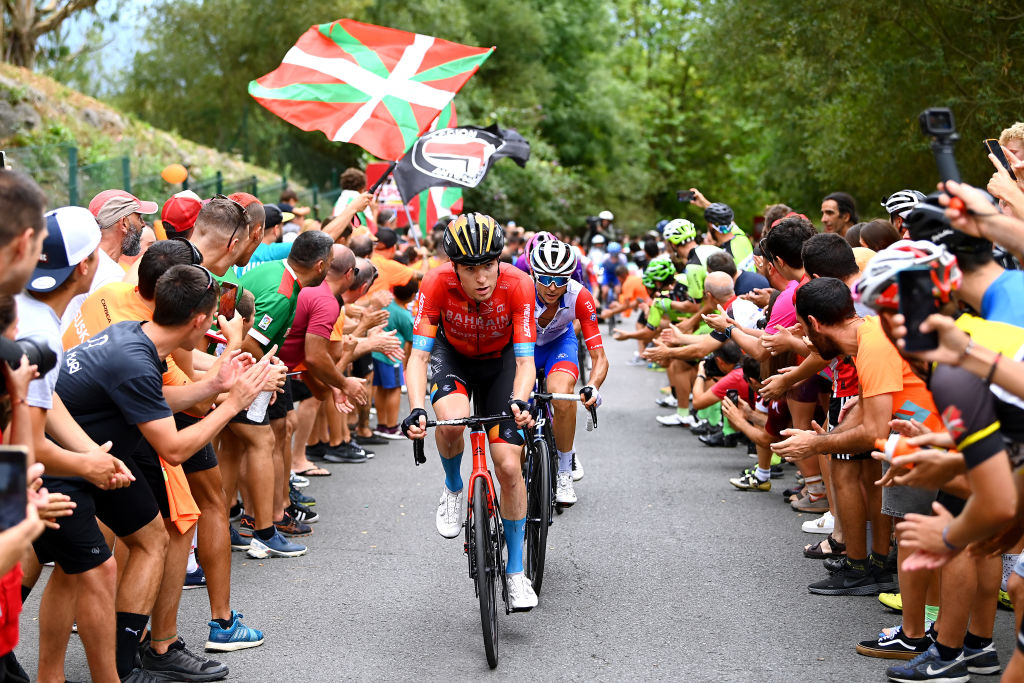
488, 382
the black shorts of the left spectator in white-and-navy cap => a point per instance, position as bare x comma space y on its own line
77, 546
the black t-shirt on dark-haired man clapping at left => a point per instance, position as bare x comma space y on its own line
112, 383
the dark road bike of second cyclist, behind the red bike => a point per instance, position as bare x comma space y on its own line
539, 467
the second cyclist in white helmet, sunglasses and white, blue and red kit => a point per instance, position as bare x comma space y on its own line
562, 302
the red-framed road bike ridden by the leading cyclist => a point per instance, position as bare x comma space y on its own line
485, 534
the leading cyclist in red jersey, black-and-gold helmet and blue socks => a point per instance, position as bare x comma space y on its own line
476, 328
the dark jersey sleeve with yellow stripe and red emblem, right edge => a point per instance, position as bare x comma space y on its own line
980, 424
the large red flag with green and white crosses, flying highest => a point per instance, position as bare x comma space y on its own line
377, 88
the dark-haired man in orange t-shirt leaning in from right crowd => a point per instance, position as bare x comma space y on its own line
889, 391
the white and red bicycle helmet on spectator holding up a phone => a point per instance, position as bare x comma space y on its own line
879, 286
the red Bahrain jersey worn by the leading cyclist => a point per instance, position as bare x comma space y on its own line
477, 330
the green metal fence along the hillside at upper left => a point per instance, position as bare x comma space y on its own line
67, 183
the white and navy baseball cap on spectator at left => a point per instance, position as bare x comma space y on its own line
72, 234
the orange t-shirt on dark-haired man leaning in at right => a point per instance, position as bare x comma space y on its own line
882, 370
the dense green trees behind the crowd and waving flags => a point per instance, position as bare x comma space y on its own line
627, 102
